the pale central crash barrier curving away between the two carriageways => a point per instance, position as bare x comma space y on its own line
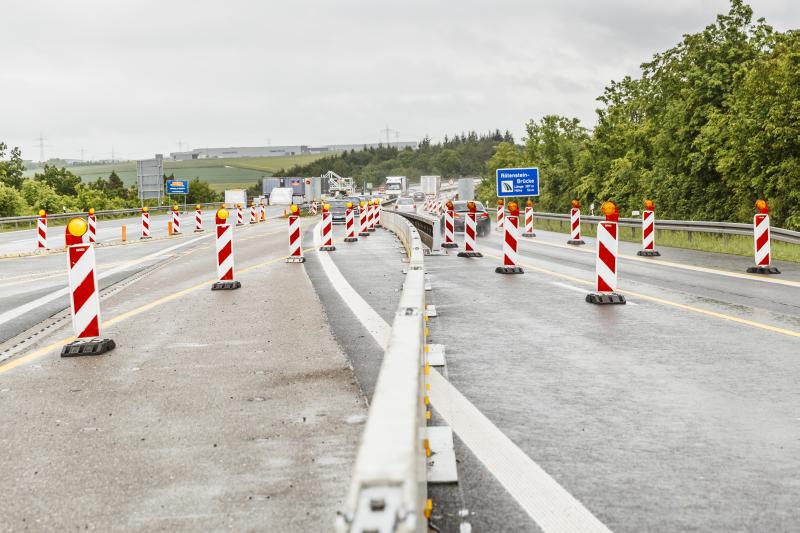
388, 491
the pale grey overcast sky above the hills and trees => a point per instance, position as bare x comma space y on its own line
139, 76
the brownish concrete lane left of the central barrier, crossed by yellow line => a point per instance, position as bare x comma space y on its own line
218, 410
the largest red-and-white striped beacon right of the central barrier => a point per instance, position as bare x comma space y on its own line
606, 262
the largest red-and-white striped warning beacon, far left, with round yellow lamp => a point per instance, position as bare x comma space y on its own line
84, 297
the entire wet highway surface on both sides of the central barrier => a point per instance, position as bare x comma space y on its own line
242, 410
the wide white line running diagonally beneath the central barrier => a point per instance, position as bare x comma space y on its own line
549, 505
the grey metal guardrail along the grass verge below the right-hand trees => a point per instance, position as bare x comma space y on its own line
720, 228
